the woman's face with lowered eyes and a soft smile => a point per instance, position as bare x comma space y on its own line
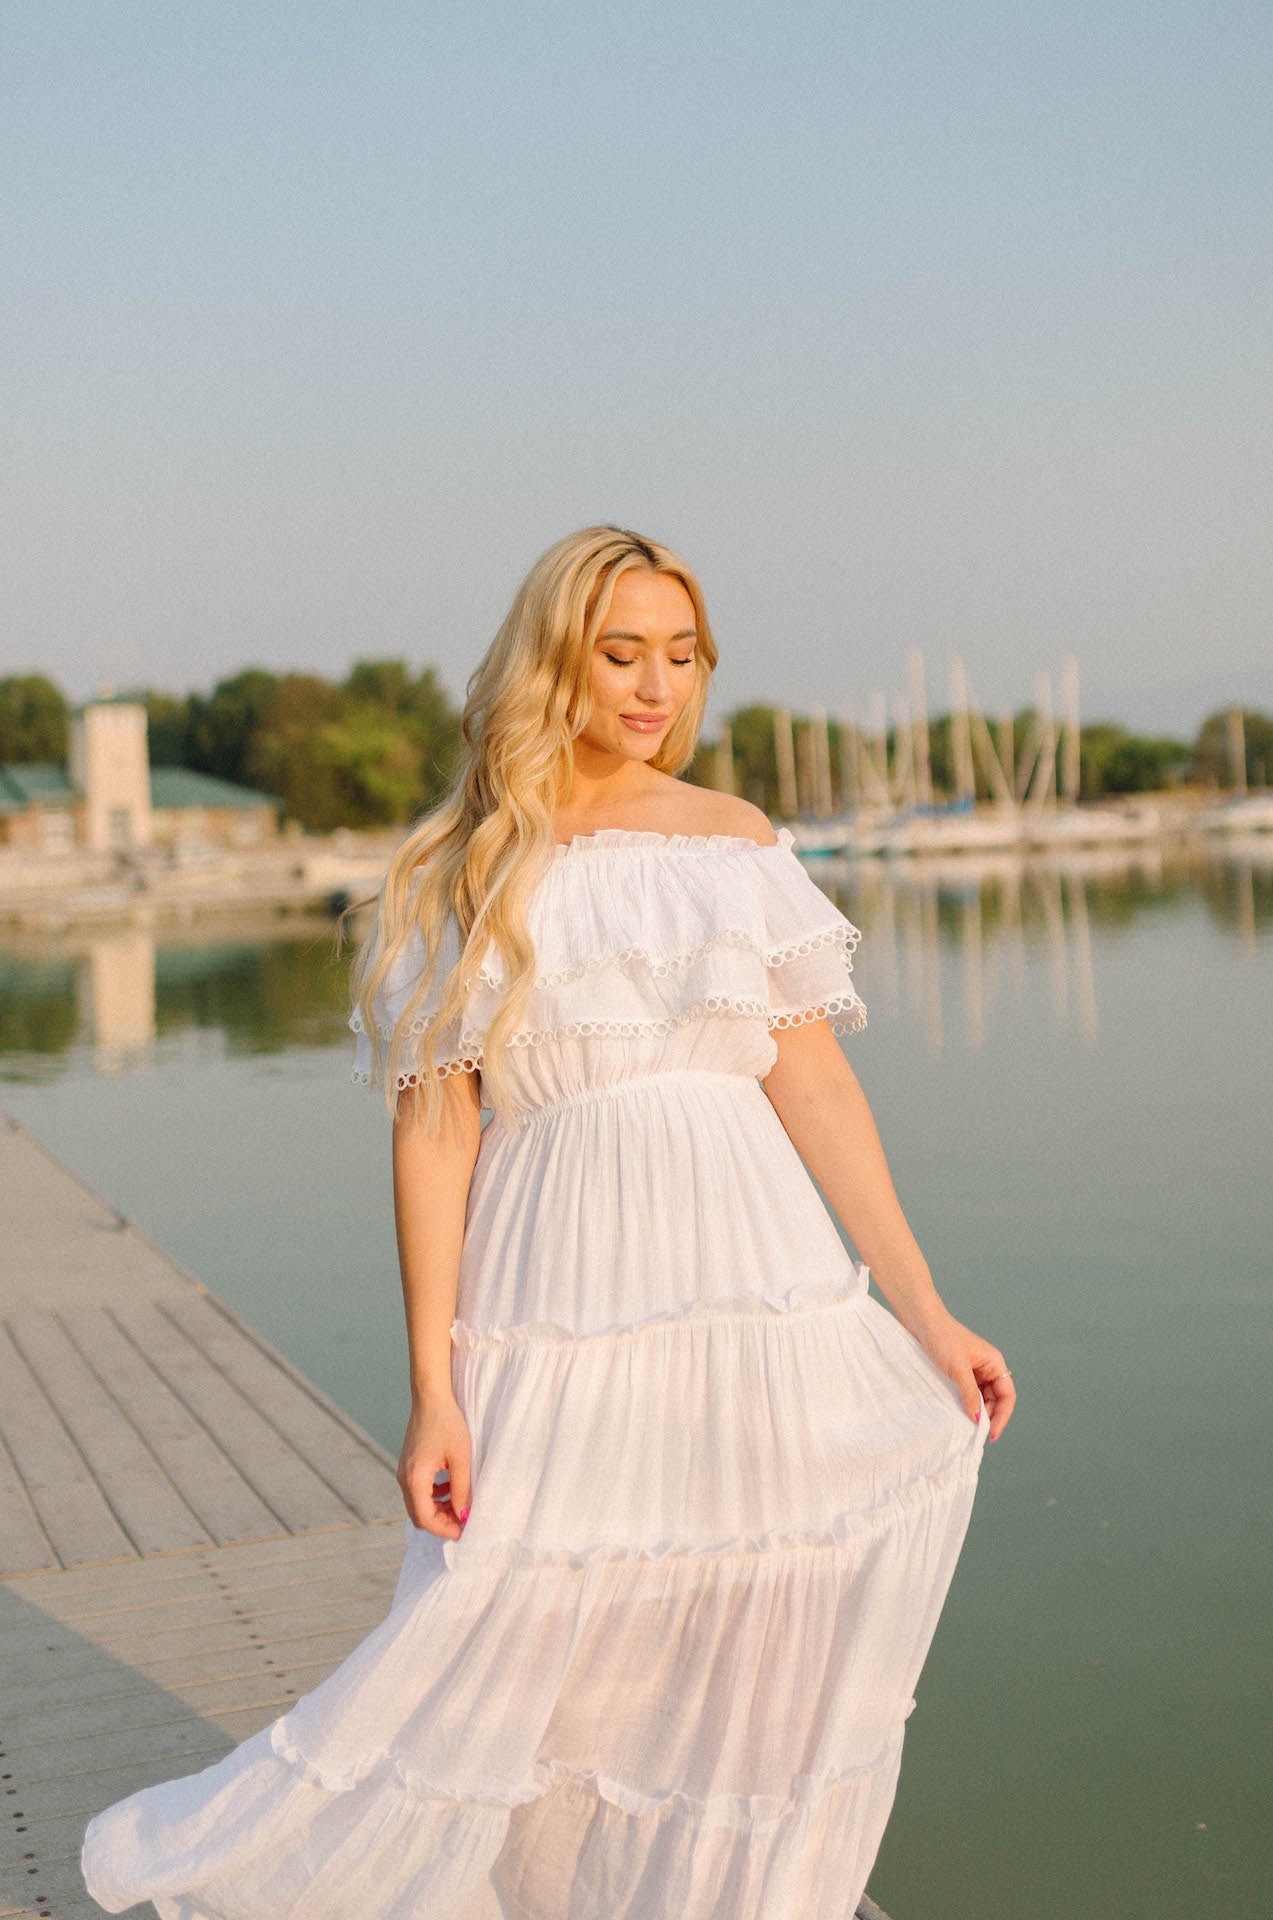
642, 665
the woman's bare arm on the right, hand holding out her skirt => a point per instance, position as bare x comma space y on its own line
830, 1124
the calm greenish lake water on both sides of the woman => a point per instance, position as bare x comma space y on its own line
1072, 1074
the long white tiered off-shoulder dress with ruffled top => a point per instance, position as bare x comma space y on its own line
719, 1493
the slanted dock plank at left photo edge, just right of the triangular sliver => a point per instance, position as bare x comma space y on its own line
66, 1499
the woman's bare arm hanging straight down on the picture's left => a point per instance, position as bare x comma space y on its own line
431, 1197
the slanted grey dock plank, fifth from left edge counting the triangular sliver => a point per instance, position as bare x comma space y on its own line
289, 1487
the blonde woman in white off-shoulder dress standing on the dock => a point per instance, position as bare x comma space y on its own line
683, 1499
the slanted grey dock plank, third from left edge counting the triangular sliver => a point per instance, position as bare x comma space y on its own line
139, 1491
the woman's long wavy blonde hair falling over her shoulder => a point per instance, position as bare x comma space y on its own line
481, 853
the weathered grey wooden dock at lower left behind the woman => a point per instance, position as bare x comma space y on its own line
191, 1533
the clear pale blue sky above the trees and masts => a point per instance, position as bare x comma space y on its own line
907, 325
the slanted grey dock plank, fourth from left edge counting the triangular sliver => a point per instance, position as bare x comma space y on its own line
208, 1483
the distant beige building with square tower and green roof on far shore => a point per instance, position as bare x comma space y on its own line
112, 800
